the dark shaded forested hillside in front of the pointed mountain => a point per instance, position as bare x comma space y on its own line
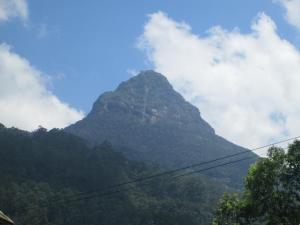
41, 171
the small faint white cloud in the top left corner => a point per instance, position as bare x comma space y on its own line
13, 8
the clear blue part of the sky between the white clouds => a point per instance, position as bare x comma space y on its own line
87, 48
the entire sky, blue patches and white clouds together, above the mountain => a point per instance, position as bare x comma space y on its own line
237, 61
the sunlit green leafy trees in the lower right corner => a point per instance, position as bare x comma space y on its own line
272, 192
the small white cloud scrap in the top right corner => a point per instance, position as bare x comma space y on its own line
292, 10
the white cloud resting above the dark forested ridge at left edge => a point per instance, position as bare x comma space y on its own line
25, 101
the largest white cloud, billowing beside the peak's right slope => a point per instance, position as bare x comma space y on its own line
245, 85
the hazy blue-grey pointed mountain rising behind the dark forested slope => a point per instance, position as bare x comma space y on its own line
148, 120
